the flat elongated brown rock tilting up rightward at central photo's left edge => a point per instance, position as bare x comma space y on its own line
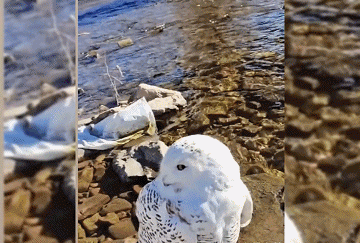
92, 205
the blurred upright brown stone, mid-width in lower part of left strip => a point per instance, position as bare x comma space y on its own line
41, 199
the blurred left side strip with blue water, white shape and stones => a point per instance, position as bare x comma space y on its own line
39, 121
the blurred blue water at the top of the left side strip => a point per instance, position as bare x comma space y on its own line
30, 39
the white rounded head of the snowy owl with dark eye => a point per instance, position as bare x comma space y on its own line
198, 163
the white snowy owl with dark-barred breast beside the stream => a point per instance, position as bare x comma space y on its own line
198, 196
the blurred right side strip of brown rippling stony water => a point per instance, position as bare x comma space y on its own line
323, 120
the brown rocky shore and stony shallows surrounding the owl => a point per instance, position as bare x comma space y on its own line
241, 107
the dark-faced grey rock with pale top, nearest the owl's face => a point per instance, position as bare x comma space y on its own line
149, 153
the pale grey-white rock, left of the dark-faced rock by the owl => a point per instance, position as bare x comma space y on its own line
127, 167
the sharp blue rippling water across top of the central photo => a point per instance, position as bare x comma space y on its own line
198, 29
